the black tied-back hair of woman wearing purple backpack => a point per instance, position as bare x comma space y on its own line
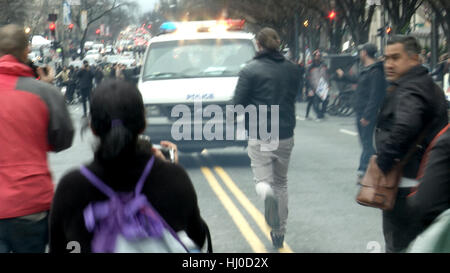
117, 118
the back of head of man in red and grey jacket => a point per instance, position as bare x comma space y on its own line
13, 40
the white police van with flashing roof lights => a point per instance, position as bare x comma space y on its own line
193, 63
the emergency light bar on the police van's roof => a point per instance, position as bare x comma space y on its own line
202, 26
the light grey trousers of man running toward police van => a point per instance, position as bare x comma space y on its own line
271, 167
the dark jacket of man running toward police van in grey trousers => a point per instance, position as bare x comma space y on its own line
270, 79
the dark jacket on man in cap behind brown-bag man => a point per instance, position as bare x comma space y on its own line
370, 92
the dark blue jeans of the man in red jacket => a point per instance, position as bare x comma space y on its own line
23, 235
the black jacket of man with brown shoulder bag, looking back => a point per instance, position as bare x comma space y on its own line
412, 103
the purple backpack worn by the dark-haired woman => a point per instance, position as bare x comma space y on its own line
127, 222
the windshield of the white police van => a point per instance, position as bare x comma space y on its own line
197, 58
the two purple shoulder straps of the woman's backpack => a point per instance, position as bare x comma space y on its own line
100, 185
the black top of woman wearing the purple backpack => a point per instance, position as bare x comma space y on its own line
168, 188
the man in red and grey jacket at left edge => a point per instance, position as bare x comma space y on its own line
33, 121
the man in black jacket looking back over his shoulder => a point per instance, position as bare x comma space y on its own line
414, 106
